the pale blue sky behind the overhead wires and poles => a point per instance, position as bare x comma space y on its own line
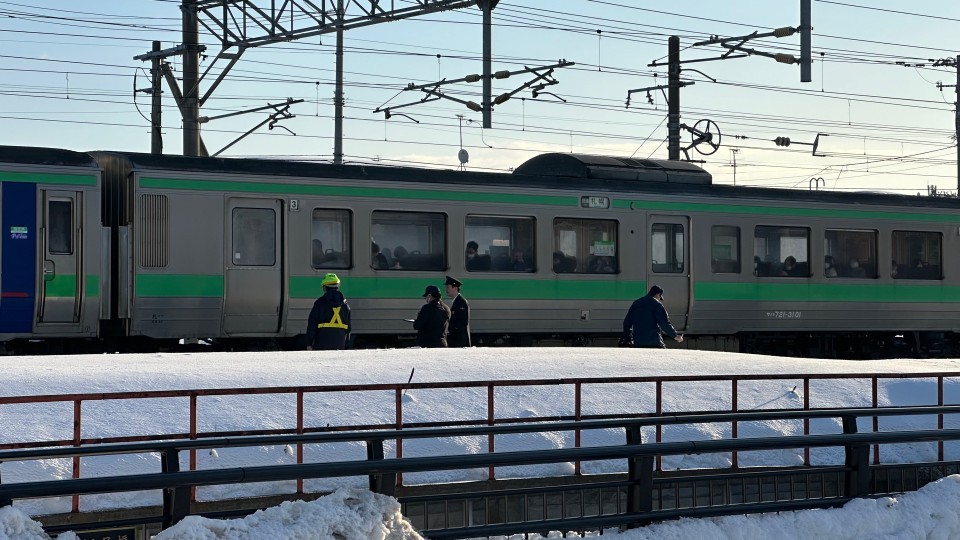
69, 77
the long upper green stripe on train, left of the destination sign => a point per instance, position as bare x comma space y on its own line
346, 191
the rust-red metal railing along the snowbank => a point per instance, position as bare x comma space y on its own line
491, 418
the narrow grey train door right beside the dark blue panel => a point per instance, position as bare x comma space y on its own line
62, 255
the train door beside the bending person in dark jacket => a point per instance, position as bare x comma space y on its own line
669, 252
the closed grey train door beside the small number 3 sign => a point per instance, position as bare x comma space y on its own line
253, 276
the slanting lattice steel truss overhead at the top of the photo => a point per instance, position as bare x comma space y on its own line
243, 23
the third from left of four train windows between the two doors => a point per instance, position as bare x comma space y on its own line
499, 244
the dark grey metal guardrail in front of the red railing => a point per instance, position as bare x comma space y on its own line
641, 457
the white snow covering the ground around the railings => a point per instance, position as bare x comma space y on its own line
354, 513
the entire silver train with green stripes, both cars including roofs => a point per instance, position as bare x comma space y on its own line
167, 249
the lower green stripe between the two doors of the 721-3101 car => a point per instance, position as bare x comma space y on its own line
474, 288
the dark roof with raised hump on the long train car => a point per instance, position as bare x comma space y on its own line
589, 174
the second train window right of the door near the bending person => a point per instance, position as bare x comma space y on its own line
781, 252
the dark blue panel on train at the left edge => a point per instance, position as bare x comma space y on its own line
19, 267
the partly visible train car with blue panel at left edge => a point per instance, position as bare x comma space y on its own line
51, 273
